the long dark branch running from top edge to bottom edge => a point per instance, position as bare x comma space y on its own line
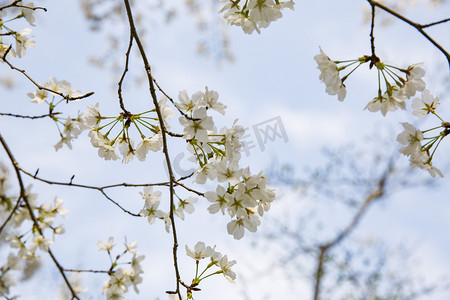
164, 138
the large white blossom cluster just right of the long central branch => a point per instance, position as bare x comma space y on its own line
245, 196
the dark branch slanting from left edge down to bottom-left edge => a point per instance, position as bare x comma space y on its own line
24, 196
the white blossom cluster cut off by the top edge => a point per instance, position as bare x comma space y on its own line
252, 15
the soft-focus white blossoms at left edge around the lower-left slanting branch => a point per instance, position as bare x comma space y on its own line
22, 235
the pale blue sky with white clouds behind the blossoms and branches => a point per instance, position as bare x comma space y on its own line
273, 75
